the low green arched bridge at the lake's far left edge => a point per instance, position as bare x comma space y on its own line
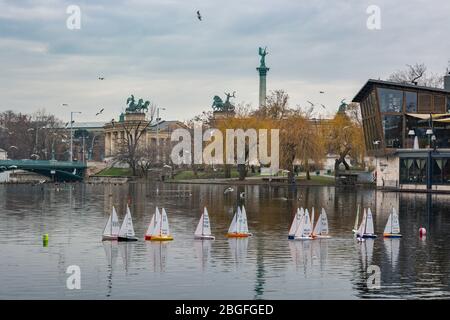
56, 170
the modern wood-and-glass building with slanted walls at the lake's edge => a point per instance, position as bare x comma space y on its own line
407, 130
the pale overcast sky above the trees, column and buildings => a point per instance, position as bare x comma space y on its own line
158, 50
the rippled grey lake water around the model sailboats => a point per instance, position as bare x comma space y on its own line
264, 266
